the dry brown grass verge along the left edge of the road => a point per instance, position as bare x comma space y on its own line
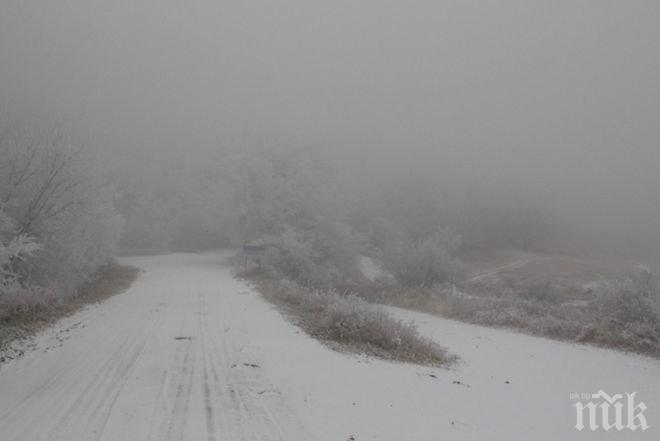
23, 321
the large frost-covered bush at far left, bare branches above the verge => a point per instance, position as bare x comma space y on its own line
53, 194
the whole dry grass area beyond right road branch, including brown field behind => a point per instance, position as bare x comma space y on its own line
601, 303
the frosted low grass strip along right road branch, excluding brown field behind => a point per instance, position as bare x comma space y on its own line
623, 313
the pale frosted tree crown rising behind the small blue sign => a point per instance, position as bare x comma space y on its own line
264, 192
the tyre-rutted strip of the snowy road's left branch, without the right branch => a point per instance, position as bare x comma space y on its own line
101, 386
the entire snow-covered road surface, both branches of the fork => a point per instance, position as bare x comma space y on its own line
189, 353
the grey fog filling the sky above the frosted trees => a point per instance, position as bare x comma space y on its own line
551, 105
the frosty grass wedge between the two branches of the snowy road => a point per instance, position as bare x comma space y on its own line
347, 322
